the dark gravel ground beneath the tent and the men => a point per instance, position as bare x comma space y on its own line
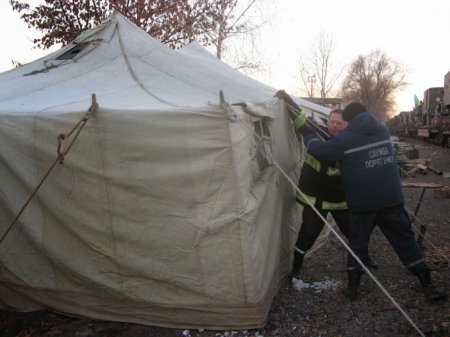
314, 311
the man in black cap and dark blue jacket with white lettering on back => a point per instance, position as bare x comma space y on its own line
373, 193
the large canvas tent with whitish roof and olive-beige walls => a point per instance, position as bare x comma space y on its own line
168, 209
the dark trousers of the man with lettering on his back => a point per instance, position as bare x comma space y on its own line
395, 224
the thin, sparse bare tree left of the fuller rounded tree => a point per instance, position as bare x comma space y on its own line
318, 70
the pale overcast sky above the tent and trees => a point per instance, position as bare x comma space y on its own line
414, 33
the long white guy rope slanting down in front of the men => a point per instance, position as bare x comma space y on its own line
275, 163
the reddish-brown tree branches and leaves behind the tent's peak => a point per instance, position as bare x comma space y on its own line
174, 23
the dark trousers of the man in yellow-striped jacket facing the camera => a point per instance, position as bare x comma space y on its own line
312, 226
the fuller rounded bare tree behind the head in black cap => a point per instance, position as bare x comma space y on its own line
373, 80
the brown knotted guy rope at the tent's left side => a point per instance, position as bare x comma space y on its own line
62, 151
